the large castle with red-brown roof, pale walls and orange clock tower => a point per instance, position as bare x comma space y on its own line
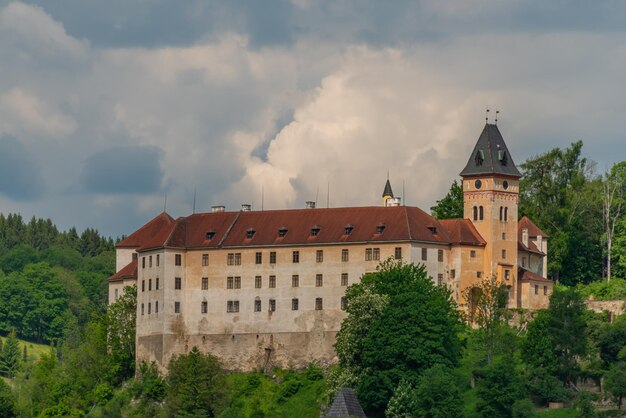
259, 288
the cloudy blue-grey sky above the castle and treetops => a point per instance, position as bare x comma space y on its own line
111, 111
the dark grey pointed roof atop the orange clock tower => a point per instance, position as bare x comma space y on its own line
490, 155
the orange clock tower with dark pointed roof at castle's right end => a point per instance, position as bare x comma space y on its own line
490, 201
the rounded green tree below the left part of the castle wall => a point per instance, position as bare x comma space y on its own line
196, 385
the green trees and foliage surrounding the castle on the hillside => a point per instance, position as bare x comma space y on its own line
405, 347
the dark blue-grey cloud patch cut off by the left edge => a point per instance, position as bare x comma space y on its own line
20, 176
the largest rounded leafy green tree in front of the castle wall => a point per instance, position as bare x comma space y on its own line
416, 326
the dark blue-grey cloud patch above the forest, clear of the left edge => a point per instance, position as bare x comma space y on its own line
124, 170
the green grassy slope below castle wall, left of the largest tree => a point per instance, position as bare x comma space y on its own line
278, 395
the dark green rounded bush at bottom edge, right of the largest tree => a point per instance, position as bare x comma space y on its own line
498, 387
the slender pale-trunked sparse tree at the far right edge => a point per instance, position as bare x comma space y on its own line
614, 189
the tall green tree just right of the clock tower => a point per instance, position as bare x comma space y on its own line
559, 192
